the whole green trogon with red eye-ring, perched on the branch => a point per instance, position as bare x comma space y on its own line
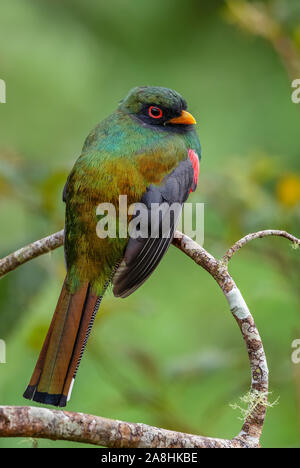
147, 149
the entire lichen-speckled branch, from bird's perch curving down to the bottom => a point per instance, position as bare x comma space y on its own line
52, 424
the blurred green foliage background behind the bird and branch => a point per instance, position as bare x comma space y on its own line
170, 355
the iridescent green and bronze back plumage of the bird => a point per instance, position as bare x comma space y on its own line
119, 157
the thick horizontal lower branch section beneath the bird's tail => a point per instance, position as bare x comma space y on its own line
29, 421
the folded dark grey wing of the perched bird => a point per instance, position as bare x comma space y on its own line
162, 209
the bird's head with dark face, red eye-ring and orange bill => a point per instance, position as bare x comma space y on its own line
159, 107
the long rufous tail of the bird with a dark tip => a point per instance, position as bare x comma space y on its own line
53, 377
